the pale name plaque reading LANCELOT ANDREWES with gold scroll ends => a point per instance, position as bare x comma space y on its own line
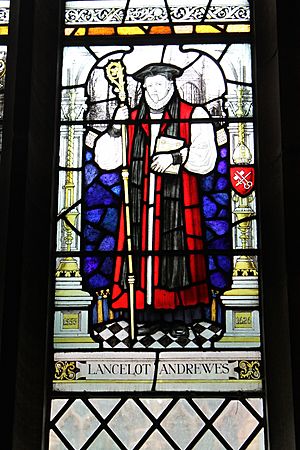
151, 371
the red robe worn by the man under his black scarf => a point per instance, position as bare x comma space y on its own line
163, 298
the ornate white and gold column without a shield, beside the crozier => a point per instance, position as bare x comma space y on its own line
72, 304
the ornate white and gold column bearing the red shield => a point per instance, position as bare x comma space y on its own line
242, 300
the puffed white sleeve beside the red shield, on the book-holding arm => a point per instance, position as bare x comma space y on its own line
202, 152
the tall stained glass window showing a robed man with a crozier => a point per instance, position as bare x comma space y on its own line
157, 303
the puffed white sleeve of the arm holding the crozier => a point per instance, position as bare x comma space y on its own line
108, 151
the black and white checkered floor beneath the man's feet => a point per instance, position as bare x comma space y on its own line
201, 335
